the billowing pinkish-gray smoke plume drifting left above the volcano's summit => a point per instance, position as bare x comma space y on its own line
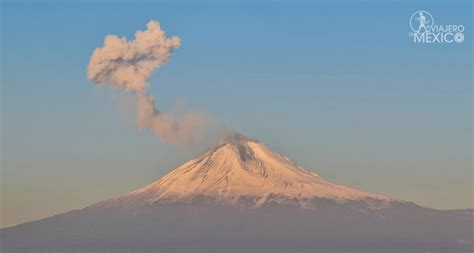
129, 64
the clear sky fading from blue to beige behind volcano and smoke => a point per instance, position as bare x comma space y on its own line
340, 88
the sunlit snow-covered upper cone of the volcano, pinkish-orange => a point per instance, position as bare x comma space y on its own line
243, 168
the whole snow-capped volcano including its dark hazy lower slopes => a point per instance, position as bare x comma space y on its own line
240, 196
